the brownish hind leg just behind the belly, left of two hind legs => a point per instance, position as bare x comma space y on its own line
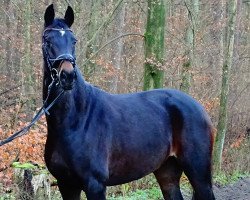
168, 177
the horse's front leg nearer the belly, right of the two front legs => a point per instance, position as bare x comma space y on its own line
95, 190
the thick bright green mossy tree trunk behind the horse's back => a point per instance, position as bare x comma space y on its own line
154, 44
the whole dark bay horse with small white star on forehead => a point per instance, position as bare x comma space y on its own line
96, 139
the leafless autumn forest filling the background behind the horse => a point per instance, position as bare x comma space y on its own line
119, 66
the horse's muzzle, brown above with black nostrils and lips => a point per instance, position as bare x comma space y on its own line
67, 75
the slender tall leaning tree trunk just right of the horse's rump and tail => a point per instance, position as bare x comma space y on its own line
226, 68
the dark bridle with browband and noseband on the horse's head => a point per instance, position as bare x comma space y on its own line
51, 61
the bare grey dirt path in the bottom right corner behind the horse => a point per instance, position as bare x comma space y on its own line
236, 191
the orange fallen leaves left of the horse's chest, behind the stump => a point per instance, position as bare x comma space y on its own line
29, 147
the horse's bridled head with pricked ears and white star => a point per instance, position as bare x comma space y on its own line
59, 47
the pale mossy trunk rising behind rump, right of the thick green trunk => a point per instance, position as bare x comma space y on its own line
193, 9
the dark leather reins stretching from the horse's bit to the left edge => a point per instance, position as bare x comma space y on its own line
42, 110
